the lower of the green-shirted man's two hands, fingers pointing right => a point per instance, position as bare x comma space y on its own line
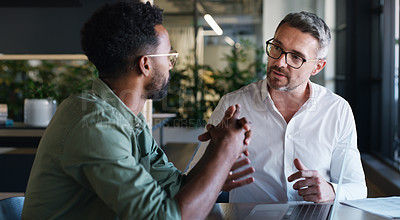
232, 181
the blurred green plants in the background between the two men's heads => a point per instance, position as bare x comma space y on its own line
195, 90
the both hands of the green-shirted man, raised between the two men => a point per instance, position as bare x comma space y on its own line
238, 133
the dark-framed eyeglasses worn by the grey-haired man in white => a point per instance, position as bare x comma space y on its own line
292, 59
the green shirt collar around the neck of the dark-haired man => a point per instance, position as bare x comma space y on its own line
100, 88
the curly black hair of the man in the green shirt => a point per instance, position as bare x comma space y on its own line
117, 34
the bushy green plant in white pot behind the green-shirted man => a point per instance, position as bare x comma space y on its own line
50, 82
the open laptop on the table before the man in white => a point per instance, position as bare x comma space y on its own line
301, 210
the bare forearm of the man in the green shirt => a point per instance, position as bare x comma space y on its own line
204, 183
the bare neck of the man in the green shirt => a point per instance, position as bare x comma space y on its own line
129, 92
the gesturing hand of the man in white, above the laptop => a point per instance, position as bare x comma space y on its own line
313, 187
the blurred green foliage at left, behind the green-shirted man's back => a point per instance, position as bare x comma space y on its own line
41, 79
